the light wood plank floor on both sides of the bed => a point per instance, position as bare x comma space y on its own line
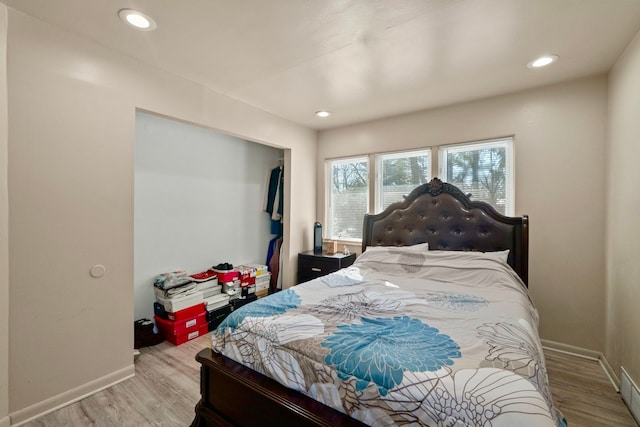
166, 388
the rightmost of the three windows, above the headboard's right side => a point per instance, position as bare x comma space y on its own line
483, 169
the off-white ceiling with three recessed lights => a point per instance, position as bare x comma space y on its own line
359, 59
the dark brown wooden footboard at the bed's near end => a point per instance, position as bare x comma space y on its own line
234, 395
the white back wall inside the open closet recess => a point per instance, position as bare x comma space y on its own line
198, 201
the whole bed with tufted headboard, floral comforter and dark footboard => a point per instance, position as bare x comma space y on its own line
432, 325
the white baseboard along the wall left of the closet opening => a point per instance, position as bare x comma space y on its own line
63, 399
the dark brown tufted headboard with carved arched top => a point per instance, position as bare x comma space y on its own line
440, 214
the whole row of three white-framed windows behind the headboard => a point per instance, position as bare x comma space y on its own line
483, 168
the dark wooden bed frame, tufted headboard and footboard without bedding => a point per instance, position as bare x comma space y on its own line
437, 213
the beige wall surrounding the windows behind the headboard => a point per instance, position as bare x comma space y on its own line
560, 135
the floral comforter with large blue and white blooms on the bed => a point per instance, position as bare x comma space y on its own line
404, 337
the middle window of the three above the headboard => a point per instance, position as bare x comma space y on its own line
398, 174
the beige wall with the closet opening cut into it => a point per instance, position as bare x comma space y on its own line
72, 105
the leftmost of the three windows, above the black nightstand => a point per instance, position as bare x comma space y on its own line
348, 197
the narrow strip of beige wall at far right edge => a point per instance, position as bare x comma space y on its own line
623, 215
